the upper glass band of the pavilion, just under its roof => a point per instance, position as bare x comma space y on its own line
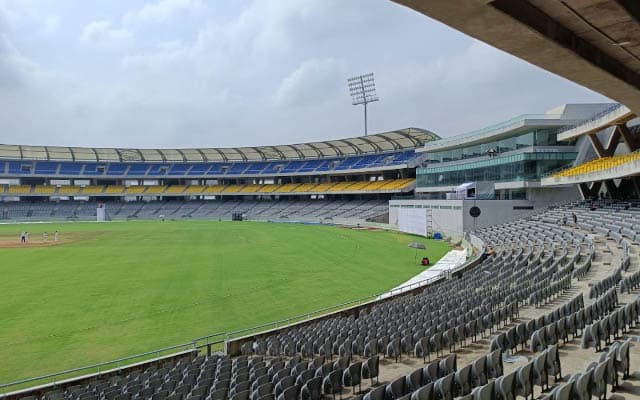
536, 137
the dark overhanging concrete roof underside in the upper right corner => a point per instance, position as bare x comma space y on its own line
595, 43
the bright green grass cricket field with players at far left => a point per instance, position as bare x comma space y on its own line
117, 289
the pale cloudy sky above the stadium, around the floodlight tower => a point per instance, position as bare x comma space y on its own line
189, 73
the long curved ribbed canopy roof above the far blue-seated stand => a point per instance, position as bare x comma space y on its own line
403, 139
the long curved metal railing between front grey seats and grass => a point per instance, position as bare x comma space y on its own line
215, 342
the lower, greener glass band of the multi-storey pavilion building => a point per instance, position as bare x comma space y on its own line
516, 167
